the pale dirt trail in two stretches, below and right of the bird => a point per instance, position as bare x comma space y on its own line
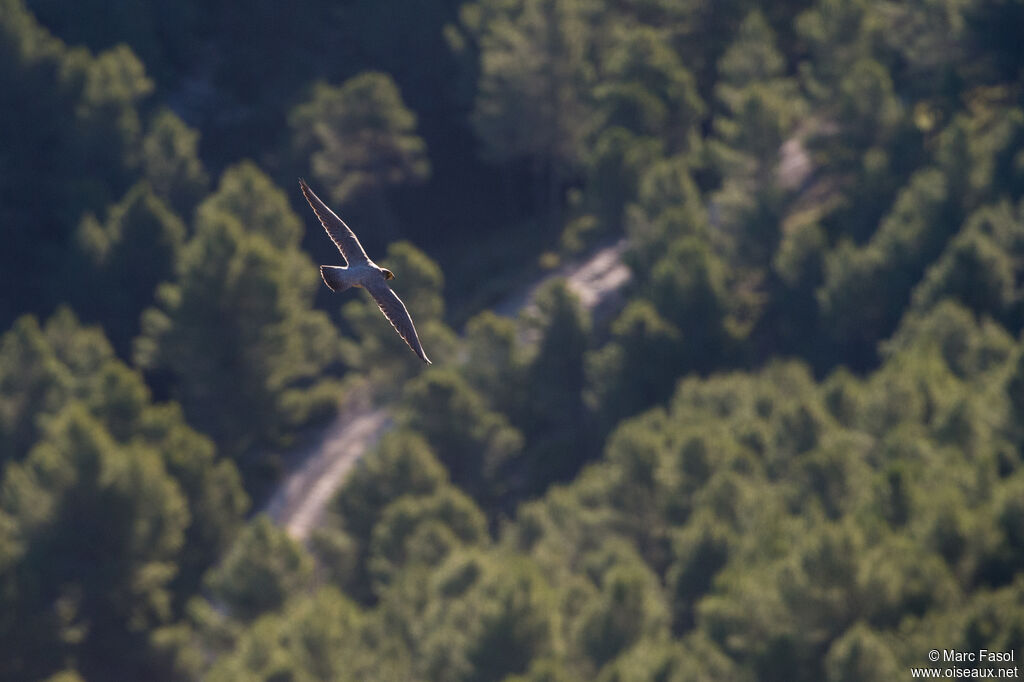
300, 503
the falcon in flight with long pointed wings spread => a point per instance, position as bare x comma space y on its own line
362, 272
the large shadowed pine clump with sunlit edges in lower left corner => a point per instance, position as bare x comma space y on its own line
112, 506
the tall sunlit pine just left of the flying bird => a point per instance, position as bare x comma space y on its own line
235, 333
